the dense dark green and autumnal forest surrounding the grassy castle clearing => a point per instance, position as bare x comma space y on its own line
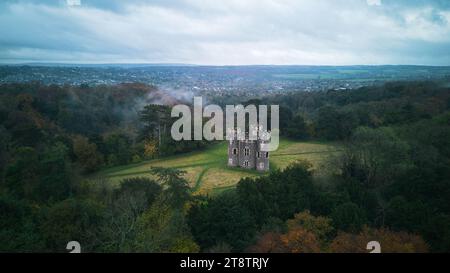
390, 183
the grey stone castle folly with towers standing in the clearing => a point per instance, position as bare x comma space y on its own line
247, 154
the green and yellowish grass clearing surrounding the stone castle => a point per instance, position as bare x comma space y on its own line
207, 171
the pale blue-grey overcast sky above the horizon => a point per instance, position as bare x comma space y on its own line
228, 32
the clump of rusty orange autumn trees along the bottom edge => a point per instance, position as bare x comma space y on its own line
310, 234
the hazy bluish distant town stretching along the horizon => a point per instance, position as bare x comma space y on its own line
223, 80
